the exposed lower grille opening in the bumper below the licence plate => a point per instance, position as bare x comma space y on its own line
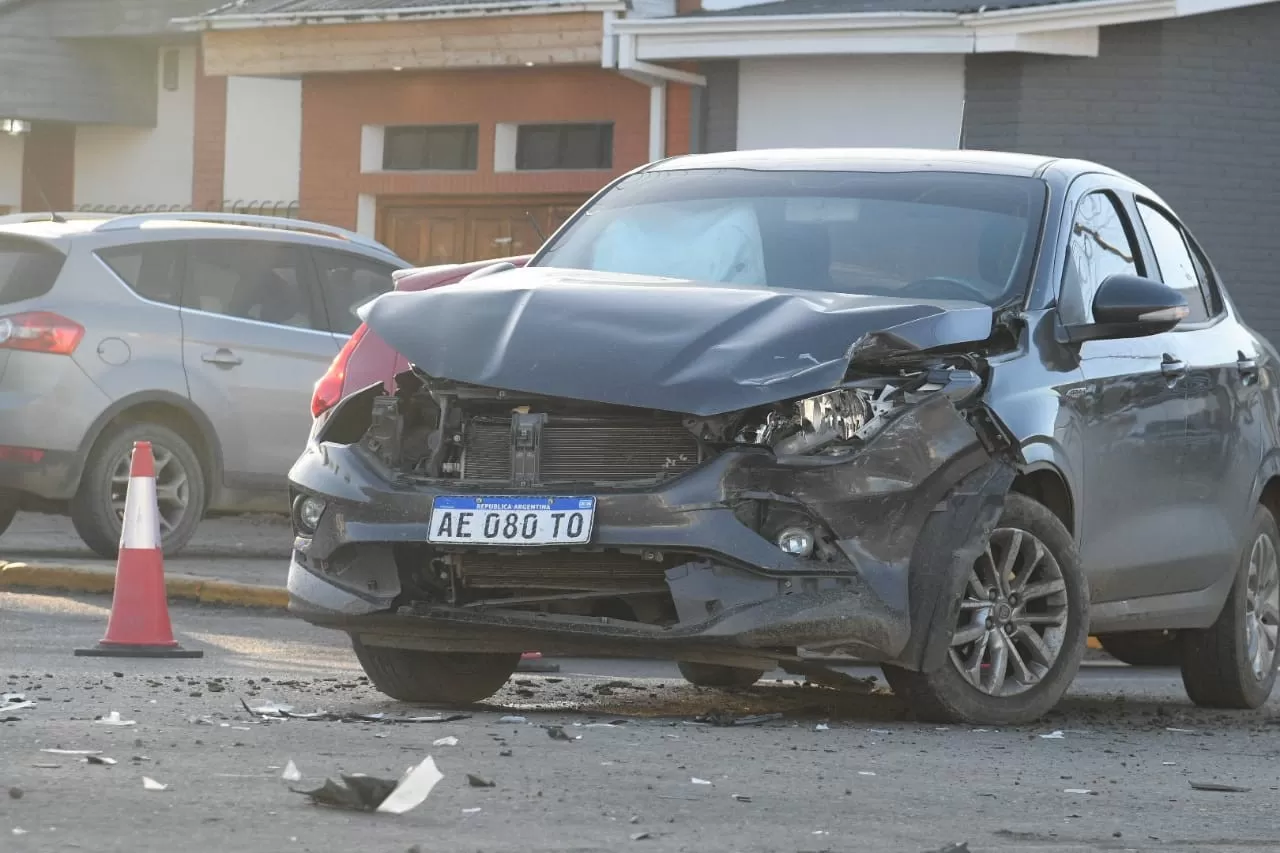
607, 571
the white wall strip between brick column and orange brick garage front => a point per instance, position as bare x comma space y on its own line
264, 139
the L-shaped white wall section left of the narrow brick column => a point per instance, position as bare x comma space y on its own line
129, 166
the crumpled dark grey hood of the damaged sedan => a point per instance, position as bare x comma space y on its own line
671, 345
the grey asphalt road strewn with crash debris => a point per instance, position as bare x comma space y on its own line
872, 782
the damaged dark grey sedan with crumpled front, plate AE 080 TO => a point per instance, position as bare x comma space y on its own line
944, 412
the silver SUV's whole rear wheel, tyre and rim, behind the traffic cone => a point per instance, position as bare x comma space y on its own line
98, 509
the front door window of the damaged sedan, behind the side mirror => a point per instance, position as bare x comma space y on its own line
1100, 245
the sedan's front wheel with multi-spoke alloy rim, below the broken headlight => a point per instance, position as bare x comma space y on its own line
1021, 633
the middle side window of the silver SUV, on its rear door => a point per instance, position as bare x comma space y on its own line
252, 281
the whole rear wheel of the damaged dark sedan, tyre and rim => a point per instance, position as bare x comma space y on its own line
1233, 663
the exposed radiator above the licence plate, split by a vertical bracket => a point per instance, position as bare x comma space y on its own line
601, 451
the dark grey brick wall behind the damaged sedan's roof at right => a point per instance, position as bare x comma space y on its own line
1190, 107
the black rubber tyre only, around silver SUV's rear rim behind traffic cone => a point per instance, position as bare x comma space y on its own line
92, 509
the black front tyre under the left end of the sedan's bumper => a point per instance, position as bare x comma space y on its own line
436, 678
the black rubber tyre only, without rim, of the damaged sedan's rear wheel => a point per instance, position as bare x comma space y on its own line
1218, 670
